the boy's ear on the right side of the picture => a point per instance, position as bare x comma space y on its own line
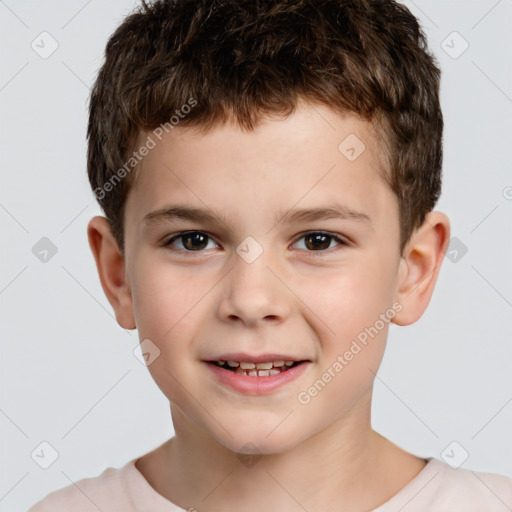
419, 267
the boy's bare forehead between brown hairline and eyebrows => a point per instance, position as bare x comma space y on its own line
311, 158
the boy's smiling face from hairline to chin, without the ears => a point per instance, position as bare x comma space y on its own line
303, 298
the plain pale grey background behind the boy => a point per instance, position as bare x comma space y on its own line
69, 374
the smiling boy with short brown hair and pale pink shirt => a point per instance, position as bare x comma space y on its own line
268, 171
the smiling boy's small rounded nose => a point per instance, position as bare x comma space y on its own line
254, 293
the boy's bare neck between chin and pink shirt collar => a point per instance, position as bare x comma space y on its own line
348, 460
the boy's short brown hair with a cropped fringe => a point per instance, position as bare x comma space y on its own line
241, 59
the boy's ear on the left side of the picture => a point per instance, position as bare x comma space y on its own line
111, 270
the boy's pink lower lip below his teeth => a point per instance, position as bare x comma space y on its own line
256, 385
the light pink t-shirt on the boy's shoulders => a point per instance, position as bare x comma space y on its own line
437, 488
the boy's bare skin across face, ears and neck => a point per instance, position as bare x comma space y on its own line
293, 299
